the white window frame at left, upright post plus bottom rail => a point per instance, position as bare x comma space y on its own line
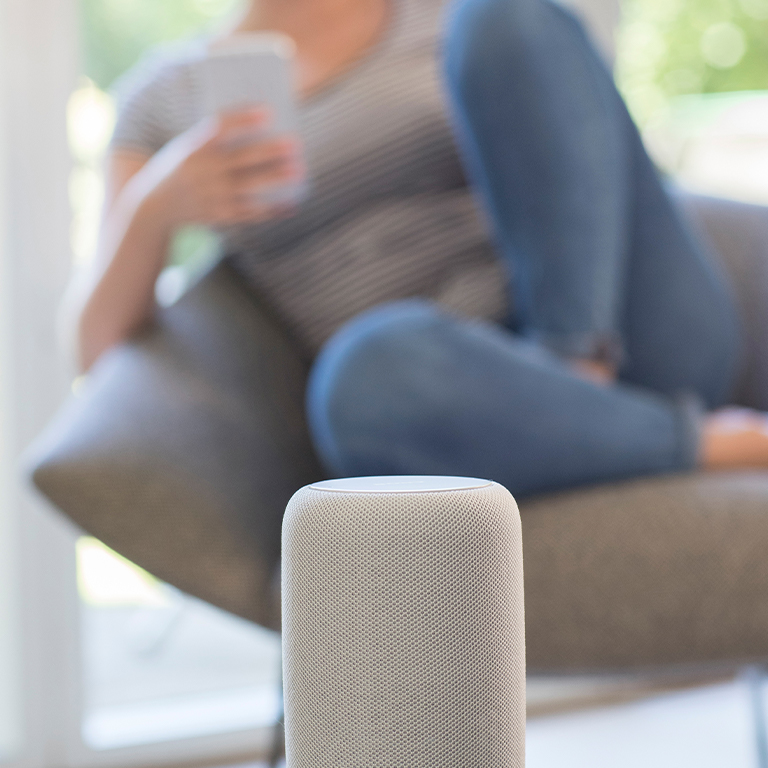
39, 45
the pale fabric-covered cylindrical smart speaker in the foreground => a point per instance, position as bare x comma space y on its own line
403, 628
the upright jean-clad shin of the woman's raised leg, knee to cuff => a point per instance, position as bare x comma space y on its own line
537, 120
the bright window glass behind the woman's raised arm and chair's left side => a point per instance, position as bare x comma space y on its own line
158, 665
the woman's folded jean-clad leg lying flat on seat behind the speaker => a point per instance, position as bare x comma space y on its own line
408, 389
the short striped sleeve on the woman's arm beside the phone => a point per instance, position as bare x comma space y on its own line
156, 100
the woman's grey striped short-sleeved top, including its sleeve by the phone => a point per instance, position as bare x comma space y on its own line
389, 214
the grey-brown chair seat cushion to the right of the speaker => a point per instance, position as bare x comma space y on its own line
660, 571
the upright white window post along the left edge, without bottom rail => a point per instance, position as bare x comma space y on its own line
36, 73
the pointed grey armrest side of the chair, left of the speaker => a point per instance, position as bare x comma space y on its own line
185, 446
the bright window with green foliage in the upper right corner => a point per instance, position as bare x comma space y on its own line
695, 75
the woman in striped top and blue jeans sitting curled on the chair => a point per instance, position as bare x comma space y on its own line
387, 275
